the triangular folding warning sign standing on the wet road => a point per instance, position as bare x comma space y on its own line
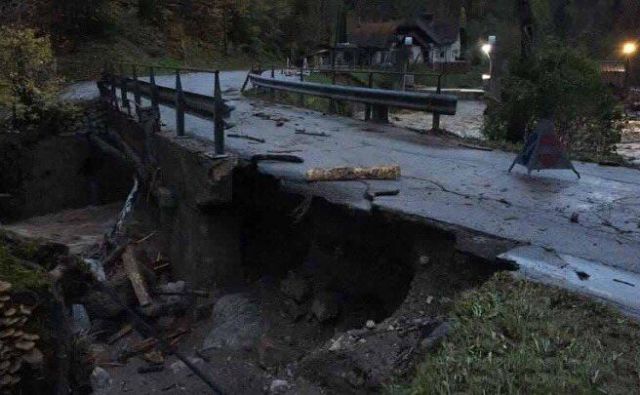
543, 150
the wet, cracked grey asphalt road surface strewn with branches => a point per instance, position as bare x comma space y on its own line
442, 183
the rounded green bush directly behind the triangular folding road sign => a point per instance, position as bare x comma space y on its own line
561, 84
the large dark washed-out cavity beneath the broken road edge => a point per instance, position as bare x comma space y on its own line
337, 268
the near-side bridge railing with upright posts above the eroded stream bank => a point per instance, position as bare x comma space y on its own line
126, 78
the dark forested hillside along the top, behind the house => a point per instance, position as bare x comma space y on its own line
278, 28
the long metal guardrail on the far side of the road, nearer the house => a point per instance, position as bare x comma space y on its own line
377, 101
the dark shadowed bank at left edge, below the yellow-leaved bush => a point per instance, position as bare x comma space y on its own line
54, 173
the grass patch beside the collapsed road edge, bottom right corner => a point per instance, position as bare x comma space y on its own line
512, 336
